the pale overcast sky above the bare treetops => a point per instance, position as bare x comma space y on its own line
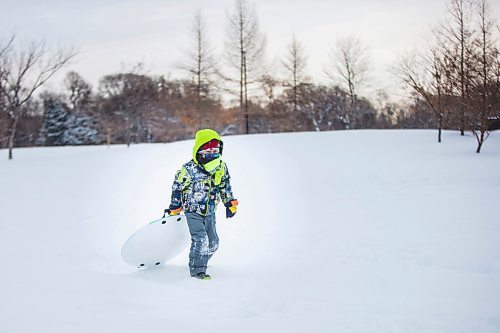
112, 35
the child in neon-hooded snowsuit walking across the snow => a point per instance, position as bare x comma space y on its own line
198, 187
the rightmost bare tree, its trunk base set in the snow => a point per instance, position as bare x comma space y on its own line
485, 85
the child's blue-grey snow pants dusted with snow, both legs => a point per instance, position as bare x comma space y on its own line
204, 241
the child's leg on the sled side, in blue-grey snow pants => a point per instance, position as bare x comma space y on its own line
199, 253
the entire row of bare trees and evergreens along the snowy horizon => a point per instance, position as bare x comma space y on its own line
454, 84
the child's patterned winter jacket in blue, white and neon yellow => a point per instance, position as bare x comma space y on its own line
199, 191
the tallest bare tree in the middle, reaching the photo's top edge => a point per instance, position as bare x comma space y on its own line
244, 47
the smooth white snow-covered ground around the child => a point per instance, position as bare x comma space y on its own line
354, 231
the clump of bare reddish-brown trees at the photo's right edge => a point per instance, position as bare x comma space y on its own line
458, 75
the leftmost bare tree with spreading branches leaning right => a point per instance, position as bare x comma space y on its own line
25, 72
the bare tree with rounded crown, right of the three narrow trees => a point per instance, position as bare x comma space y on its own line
349, 68
